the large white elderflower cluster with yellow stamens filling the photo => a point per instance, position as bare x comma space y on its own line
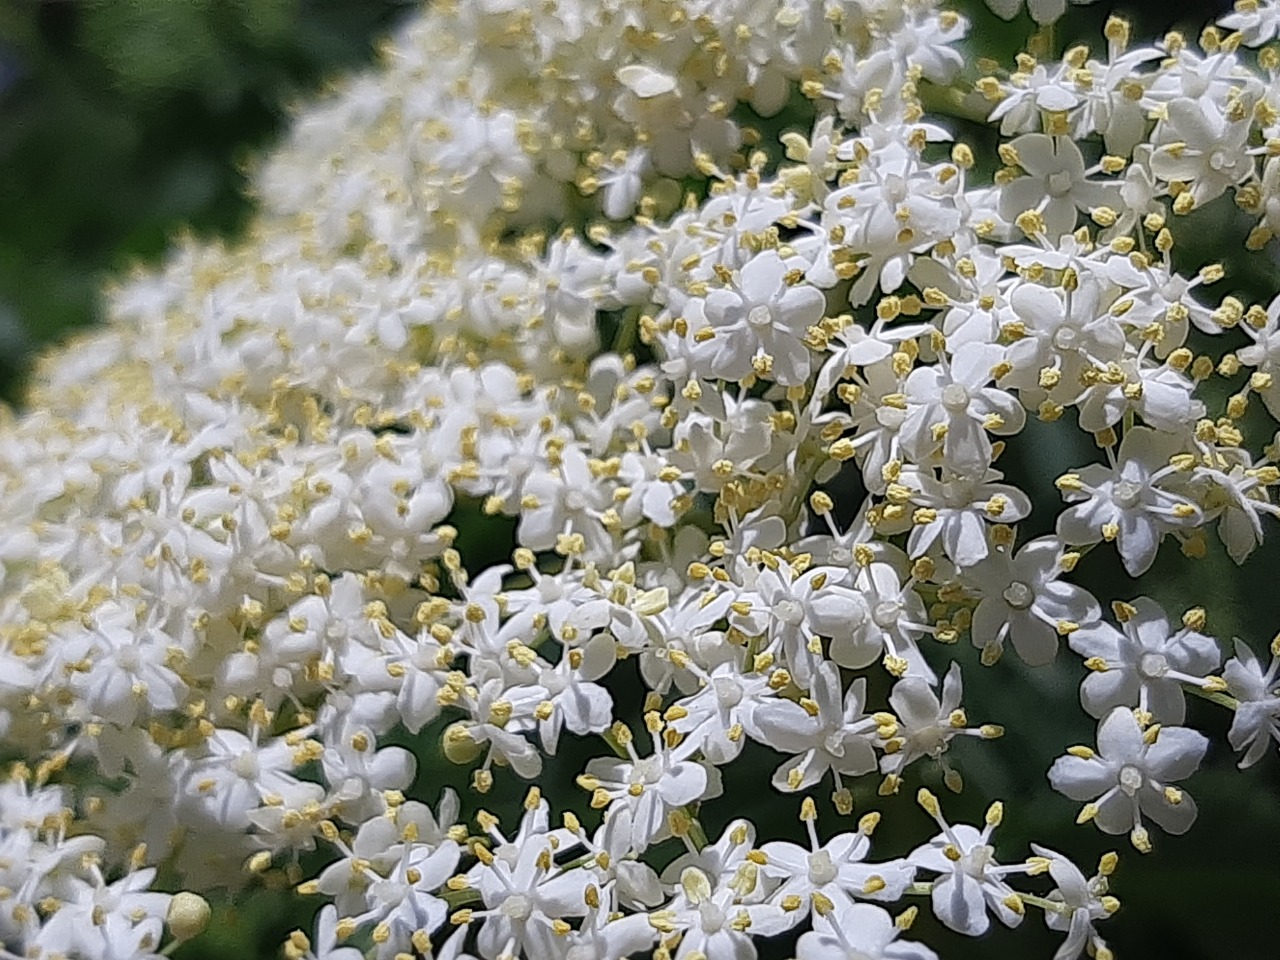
565, 399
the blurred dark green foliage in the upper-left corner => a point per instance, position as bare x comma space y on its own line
122, 121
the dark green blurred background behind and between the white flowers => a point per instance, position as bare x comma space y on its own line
124, 122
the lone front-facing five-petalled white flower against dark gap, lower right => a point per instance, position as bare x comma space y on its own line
1131, 776
